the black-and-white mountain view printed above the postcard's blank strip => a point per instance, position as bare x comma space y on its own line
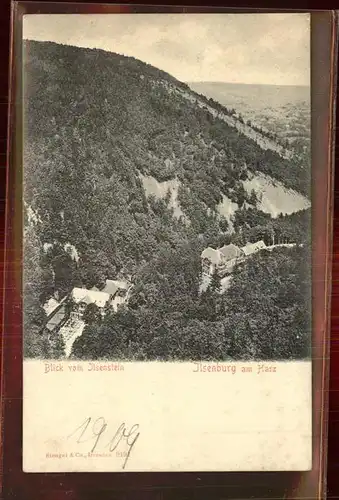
167, 187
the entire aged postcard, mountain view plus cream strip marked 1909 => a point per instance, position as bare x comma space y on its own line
167, 270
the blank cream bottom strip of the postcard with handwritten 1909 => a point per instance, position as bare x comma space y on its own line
187, 420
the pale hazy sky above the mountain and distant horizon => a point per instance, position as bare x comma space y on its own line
245, 48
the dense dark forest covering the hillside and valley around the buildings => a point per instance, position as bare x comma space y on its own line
96, 121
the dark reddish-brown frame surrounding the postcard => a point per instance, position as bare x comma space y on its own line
174, 485
